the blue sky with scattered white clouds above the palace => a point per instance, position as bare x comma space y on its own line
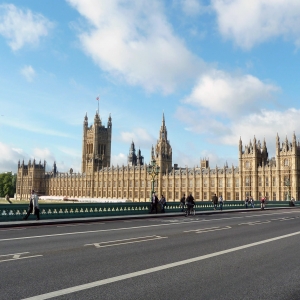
219, 70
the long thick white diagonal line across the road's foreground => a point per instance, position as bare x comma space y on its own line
153, 270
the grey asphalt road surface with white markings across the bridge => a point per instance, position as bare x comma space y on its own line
250, 255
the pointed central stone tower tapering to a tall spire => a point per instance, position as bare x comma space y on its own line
163, 149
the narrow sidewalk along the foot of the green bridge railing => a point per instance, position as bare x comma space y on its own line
27, 223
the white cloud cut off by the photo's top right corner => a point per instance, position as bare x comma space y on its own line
252, 22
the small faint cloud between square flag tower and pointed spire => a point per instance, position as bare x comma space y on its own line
140, 137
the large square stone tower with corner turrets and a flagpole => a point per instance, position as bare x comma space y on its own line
96, 145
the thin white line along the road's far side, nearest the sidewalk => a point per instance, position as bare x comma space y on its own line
124, 228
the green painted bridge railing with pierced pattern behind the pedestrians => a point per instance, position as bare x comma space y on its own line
14, 212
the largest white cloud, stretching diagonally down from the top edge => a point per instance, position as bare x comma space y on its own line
132, 40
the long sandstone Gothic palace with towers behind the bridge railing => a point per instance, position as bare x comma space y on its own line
256, 175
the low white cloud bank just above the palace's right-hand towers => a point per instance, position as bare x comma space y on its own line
262, 124
